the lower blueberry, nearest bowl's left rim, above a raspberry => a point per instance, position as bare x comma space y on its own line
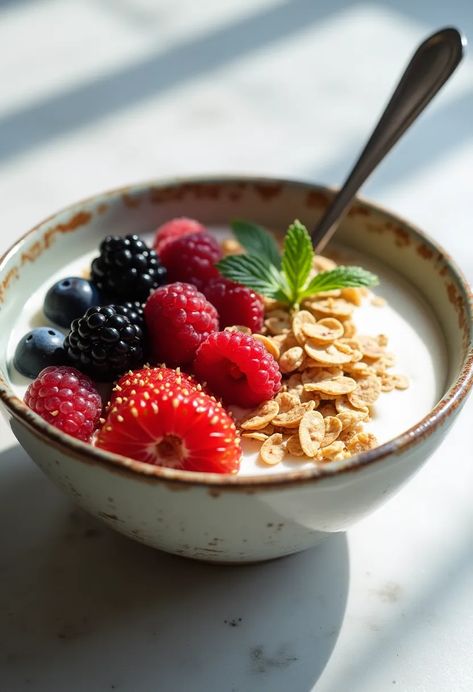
39, 348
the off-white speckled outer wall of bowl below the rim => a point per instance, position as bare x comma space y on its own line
225, 524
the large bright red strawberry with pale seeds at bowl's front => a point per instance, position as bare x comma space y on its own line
173, 427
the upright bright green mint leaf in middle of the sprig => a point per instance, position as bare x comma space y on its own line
297, 258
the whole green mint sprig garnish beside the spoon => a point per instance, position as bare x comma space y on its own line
285, 278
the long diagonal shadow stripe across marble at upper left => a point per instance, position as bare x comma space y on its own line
40, 122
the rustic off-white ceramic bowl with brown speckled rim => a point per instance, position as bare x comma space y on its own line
222, 518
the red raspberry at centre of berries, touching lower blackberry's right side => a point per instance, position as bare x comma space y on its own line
178, 318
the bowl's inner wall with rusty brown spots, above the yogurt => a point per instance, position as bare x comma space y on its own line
139, 210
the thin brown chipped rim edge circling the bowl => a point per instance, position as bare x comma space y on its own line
446, 406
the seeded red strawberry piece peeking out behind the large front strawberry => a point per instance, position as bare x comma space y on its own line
130, 383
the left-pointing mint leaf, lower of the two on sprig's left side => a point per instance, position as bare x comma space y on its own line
254, 272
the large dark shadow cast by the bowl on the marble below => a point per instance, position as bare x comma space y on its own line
85, 608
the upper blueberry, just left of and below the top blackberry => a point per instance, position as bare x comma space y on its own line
68, 299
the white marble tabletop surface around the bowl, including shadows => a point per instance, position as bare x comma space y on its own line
98, 93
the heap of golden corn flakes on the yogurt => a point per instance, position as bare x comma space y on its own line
331, 377
